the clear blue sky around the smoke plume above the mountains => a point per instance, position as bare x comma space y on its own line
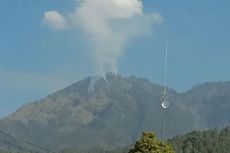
36, 61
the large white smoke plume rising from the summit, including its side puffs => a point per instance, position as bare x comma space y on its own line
108, 25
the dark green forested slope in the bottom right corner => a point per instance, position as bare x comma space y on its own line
210, 141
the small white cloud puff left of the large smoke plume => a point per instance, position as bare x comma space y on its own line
55, 20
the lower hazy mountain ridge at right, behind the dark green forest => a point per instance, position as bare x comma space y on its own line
210, 103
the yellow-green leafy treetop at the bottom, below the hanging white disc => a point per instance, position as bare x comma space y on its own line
149, 144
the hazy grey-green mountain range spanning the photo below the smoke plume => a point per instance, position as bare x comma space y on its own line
113, 112
